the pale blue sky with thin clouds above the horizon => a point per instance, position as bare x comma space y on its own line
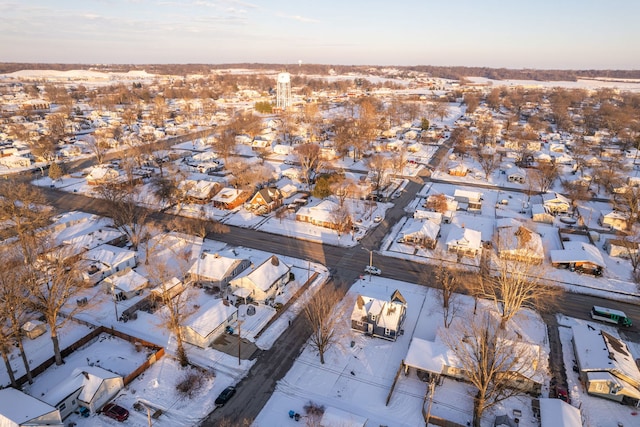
576, 34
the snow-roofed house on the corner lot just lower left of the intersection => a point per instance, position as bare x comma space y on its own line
263, 282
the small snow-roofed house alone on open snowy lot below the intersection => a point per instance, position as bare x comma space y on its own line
378, 318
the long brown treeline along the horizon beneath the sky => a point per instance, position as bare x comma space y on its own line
452, 72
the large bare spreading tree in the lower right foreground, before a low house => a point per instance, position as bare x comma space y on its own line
492, 359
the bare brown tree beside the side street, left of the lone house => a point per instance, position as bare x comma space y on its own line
322, 320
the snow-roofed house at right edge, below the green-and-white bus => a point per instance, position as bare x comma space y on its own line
606, 365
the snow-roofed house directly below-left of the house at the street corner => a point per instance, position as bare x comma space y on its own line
209, 322
